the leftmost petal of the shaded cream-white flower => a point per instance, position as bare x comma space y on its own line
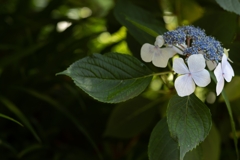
147, 51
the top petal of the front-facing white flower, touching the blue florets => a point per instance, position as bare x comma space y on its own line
196, 63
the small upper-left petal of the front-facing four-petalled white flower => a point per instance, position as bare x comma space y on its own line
179, 66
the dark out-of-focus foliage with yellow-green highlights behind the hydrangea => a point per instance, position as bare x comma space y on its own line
40, 38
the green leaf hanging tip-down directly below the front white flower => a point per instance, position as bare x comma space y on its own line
189, 121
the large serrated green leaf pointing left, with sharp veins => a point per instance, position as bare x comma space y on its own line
110, 78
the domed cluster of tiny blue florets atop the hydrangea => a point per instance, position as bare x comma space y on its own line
196, 41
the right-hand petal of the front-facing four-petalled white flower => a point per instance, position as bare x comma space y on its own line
201, 78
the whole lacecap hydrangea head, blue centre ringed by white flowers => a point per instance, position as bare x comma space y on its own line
197, 50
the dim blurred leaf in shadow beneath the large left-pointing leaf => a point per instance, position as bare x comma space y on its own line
131, 118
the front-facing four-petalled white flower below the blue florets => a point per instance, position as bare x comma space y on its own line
196, 74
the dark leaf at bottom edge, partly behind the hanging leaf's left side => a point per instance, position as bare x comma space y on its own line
161, 145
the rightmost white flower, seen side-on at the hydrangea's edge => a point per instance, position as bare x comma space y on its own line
223, 71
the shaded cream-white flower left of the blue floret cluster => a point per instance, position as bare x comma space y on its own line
158, 56
